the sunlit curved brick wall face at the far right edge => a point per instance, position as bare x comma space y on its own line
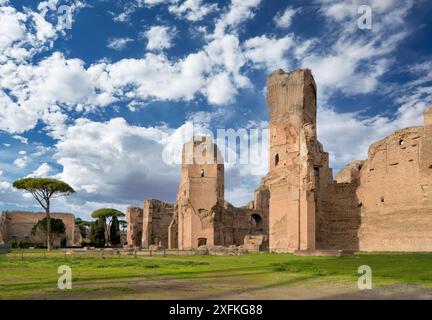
395, 192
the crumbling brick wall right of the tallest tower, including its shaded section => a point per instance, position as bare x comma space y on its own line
385, 202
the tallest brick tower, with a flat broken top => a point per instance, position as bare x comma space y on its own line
293, 174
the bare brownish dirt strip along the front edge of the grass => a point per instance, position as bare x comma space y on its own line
169, 288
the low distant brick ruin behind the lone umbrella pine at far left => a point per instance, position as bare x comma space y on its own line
17, 225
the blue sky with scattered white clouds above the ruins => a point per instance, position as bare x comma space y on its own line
97, 101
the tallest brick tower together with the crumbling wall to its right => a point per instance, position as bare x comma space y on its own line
380, 204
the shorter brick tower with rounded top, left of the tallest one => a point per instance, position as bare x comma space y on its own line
201, 190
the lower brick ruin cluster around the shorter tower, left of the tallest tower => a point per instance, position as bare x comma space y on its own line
201, 216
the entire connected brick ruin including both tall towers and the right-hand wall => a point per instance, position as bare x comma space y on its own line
383, 203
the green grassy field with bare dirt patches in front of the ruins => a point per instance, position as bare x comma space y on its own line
33, 275
